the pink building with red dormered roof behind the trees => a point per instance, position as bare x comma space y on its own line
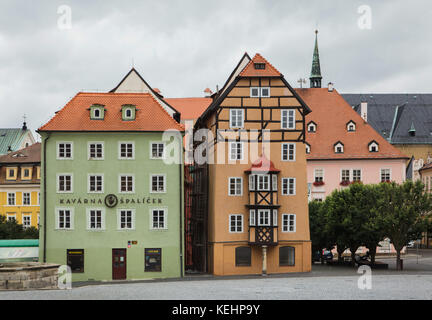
343, 148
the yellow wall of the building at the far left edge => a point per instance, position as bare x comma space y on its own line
19, 209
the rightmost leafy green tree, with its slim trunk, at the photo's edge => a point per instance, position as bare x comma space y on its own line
401, 213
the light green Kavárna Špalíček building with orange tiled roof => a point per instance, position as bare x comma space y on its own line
111, 205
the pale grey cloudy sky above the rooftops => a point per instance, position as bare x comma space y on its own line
182, 47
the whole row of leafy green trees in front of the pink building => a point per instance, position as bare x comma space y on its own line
363, 215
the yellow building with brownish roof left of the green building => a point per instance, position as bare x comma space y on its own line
20, 173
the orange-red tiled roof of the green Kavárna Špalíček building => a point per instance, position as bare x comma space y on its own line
75, 116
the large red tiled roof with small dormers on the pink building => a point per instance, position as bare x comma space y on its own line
331, 113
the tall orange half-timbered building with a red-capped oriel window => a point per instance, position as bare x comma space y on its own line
250, 198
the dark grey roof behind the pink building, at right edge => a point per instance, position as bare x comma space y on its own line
394, 115
